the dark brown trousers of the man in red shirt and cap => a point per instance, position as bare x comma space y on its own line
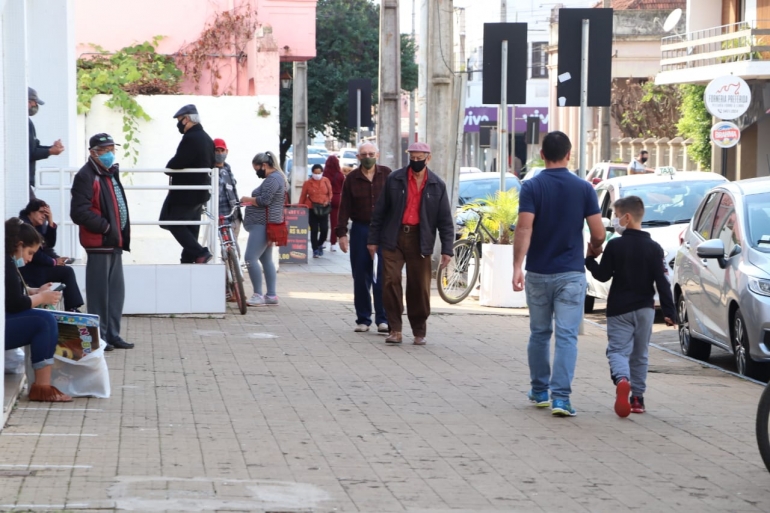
417, 283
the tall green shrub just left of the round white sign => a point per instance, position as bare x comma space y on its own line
695, 123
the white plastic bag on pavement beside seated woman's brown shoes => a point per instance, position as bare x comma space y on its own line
87, 377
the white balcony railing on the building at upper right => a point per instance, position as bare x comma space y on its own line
743, 41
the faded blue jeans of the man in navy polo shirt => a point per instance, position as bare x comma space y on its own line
554, 299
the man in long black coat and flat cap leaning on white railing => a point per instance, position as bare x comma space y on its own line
195, 151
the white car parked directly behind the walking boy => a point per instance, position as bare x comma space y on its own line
670, 201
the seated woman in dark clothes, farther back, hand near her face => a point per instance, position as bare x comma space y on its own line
46, 266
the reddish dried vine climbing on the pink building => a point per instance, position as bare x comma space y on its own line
222, 39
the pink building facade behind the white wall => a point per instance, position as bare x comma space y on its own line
285, 32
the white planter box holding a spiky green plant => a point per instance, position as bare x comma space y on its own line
497, 278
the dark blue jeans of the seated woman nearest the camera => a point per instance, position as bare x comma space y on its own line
35, 328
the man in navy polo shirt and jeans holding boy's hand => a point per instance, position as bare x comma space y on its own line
549, 232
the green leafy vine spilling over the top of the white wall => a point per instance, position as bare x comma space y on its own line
131, 71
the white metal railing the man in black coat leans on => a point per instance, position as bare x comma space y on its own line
69, 234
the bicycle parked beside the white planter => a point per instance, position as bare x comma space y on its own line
456, 281
